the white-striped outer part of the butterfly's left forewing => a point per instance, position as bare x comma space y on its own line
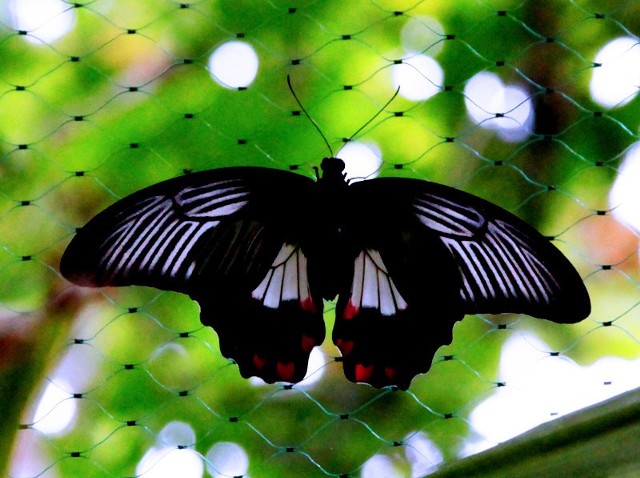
155, 236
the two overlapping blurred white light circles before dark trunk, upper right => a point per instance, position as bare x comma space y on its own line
505, 109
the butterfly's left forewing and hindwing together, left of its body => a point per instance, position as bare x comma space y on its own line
225, 238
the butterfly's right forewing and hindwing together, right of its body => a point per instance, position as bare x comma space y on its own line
425, 255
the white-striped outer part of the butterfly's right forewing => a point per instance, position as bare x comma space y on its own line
505, 264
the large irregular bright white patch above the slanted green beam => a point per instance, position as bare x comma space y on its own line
539, 387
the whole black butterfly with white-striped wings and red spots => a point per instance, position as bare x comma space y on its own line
259, 249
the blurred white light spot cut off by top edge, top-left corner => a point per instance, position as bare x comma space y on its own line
46, 20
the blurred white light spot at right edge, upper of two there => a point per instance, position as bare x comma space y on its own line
617, 80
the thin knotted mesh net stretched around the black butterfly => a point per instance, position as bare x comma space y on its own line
529, 104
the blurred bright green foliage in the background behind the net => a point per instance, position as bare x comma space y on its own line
125, 100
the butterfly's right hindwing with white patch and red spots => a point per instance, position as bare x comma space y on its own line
401, 302
